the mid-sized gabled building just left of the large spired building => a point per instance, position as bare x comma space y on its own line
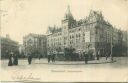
35, 44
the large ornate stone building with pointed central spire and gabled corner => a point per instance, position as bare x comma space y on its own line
92, 33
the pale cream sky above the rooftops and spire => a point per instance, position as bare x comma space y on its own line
21, 17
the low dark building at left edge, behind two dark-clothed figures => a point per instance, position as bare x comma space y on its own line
8, 46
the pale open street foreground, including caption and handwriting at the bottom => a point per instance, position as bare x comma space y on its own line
67, 71
